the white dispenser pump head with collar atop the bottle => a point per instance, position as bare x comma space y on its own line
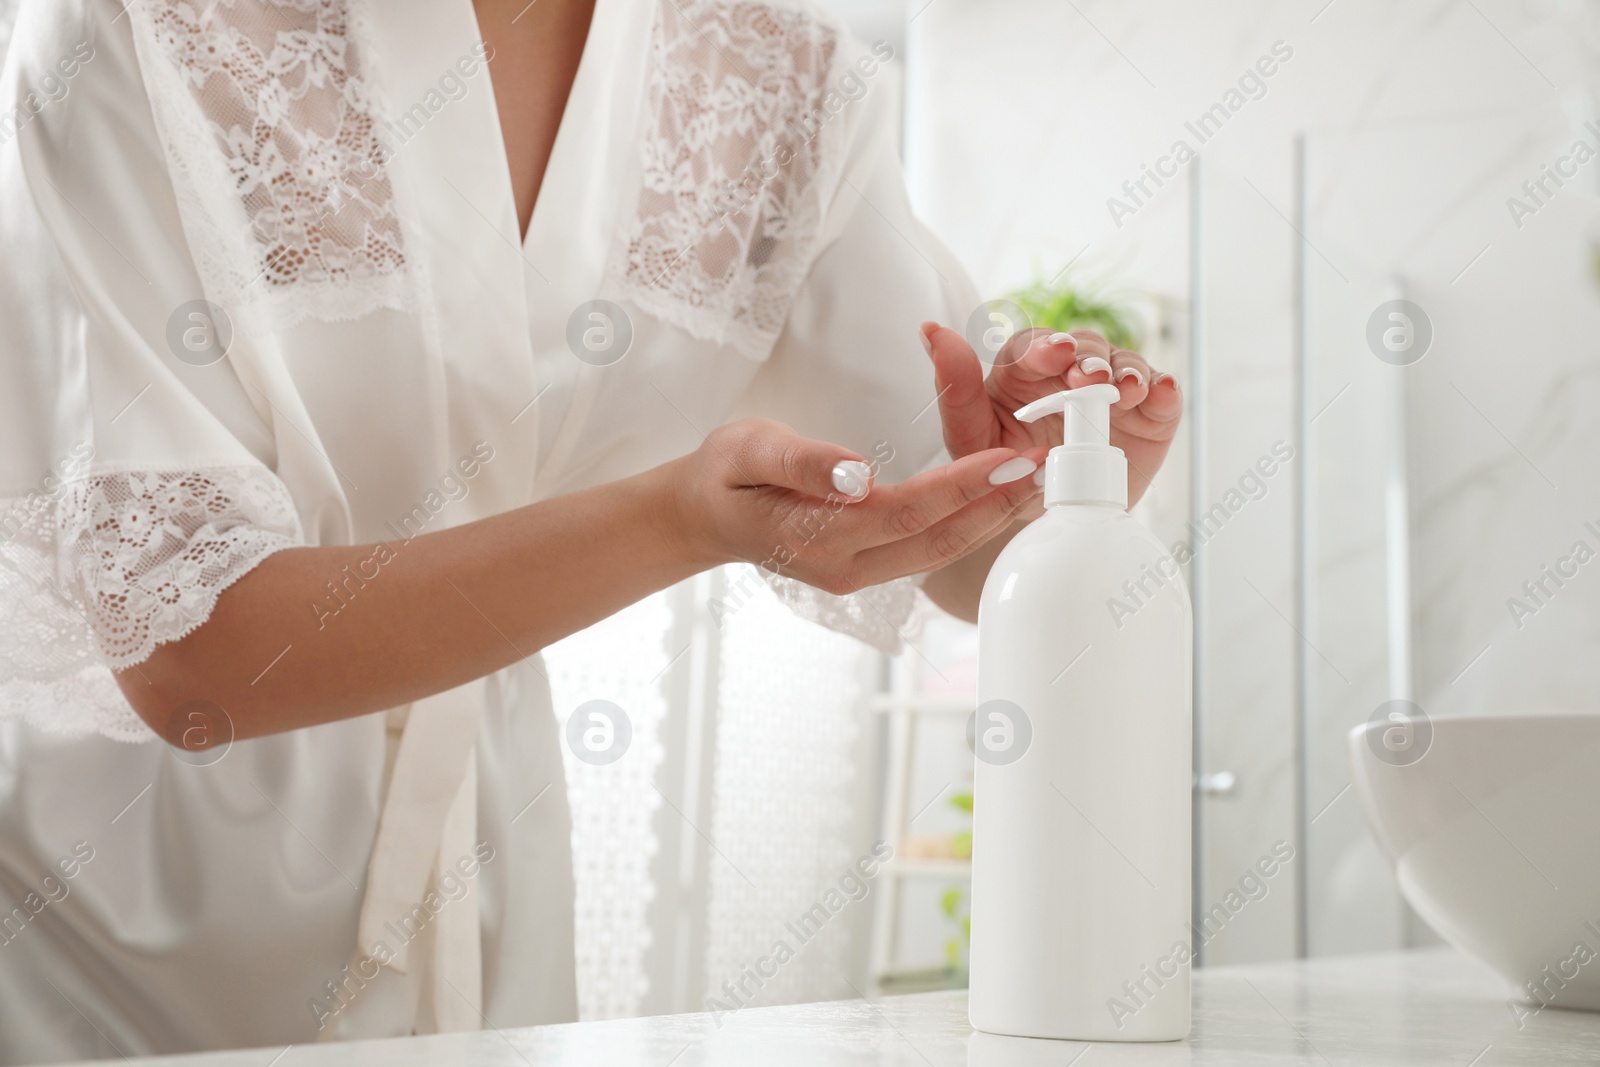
1086, 468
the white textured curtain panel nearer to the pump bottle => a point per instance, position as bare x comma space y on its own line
793, 786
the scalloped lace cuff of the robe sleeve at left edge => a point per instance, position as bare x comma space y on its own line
100, 573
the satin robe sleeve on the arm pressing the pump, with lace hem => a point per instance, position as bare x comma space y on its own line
849, 366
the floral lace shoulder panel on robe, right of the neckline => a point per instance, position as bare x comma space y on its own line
740, 151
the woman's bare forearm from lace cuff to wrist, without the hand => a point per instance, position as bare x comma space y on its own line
321, 634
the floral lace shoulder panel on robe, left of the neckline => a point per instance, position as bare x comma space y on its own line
271, 126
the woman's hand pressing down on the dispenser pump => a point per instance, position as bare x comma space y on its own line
1034, 364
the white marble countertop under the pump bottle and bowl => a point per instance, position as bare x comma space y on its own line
1430, 1007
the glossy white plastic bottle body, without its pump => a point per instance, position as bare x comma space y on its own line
1082, 844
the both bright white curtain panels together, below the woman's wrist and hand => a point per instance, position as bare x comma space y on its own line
788, 767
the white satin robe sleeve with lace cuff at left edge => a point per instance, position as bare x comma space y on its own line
135, 473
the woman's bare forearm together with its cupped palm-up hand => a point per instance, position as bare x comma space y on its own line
319, 634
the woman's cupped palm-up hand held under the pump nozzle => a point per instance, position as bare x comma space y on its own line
758, 492
